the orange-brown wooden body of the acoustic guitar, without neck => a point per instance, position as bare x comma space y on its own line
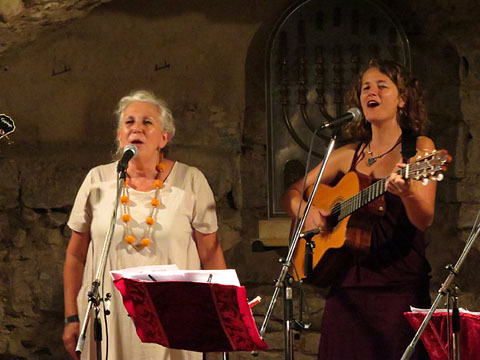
339, 243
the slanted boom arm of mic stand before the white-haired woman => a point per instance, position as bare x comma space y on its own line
93, 295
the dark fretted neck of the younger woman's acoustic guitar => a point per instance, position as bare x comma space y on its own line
367, 195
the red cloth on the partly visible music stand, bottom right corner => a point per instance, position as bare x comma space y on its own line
435, 335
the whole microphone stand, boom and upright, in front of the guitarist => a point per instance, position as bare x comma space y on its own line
281, 282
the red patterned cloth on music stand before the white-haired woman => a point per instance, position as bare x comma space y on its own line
204, 317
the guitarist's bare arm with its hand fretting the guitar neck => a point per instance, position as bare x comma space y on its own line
418, 199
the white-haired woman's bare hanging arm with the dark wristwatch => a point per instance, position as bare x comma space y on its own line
72, 281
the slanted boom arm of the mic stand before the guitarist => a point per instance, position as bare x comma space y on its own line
293, 243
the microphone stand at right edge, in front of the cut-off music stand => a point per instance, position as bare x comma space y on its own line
445, 289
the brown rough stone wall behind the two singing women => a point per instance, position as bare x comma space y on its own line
61, 83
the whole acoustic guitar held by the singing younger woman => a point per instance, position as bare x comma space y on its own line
345, 232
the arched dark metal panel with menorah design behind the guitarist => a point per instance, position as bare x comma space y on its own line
315, 51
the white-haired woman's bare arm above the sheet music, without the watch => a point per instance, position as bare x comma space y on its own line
209, 251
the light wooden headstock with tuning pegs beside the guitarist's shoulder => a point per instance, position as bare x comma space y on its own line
429, 166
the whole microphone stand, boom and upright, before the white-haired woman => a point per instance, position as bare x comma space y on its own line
94, 299
